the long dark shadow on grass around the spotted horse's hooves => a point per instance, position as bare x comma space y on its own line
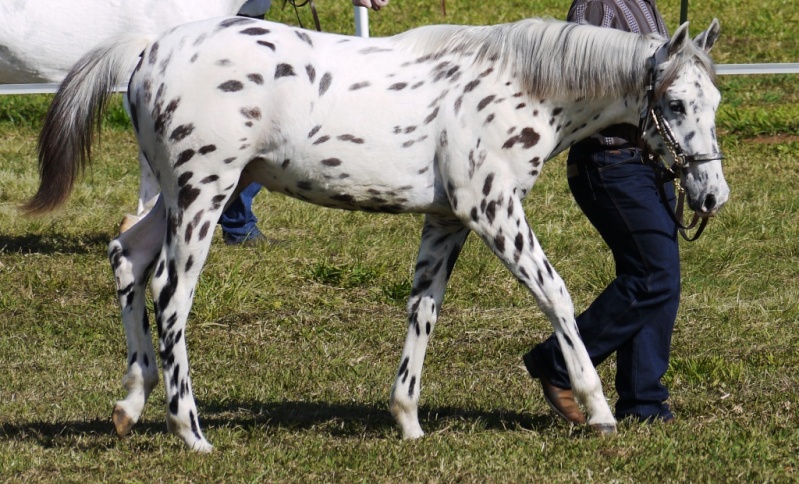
335, 420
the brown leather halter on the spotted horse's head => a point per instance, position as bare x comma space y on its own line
664, 172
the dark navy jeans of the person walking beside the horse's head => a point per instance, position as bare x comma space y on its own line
634, 316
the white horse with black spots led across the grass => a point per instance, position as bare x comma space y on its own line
453, 122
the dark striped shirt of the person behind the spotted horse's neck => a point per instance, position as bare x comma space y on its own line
637, 16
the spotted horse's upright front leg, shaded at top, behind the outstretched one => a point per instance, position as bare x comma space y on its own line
442, 240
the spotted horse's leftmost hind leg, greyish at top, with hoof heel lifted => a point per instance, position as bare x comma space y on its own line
132, 256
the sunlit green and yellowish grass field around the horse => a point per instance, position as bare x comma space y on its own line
294, 346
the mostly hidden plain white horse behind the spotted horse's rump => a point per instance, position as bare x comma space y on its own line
40, 41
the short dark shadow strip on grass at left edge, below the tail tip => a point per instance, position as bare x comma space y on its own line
55, 243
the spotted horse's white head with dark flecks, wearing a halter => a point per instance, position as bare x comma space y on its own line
679, 120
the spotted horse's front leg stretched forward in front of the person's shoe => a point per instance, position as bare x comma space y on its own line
503, 227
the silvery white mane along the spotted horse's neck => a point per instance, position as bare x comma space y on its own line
553, 58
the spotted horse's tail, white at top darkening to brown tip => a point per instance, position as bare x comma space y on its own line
65, 141
